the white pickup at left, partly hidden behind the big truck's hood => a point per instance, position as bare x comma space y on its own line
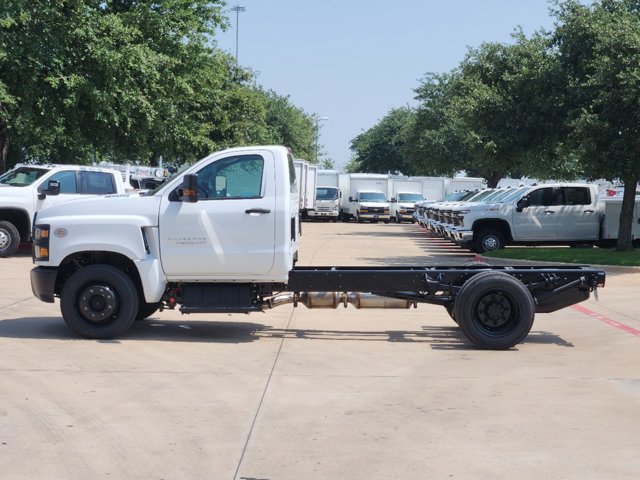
25, 189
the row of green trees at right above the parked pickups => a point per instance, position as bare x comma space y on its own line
555, 105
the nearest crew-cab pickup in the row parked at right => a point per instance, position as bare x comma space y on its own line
563, 213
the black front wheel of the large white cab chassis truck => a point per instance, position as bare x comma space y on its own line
99, 301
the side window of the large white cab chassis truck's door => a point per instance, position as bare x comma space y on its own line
232, 177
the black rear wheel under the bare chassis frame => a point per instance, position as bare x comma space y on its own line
494, 310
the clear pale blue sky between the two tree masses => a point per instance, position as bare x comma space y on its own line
354, 60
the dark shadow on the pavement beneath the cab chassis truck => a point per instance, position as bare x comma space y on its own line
438, 337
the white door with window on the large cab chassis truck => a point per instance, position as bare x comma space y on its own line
230, 231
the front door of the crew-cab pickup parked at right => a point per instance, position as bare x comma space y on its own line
538, 221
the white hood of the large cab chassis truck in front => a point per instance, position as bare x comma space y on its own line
130, 208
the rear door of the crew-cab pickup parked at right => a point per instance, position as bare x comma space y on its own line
577, 216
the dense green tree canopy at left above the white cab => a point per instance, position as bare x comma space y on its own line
129, 80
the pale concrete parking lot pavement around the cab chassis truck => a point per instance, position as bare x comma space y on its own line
322, 394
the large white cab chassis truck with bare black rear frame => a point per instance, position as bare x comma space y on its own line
222, 237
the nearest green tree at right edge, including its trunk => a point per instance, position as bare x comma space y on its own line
599, 50
